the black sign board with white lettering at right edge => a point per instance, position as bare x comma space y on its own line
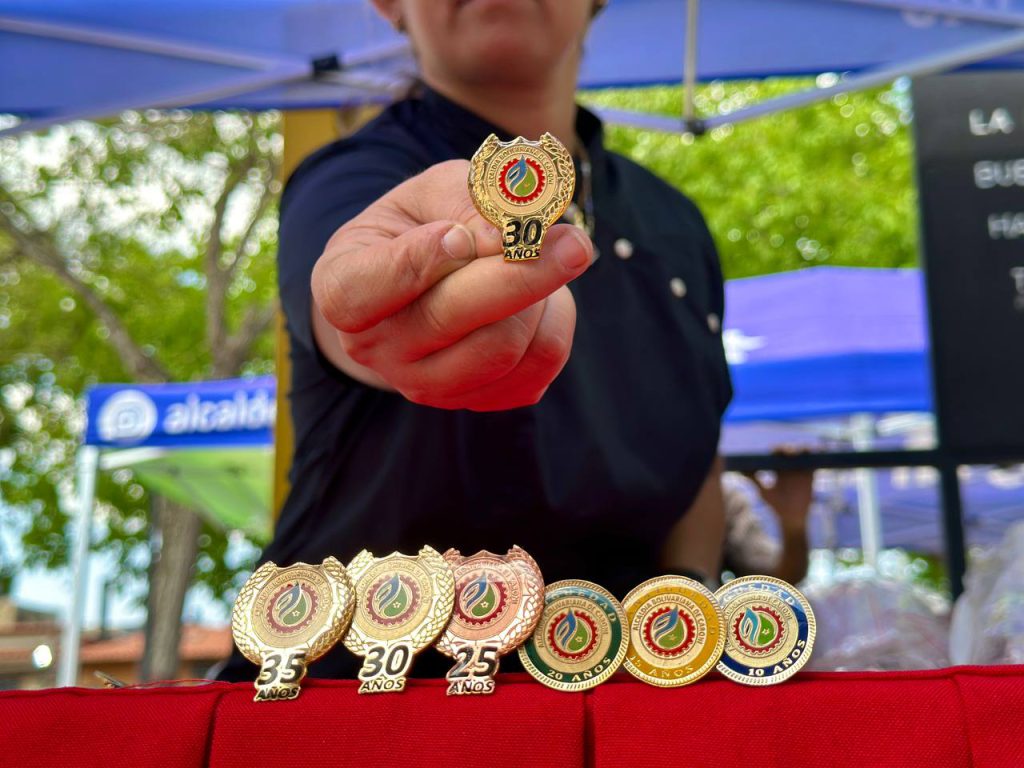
970, 147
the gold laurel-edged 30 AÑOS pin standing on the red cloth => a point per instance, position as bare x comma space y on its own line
402, 606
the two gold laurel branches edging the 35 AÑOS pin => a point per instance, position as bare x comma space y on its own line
337, 622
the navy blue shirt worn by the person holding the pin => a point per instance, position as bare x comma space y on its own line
590, 480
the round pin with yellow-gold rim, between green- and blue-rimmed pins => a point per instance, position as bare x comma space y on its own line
676, 631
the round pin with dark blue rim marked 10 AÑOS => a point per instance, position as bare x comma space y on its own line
770, 630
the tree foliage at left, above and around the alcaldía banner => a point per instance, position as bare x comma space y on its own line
140, 249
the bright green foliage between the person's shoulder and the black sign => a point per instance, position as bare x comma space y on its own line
831, 184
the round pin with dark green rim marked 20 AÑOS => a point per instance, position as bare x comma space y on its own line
581, 639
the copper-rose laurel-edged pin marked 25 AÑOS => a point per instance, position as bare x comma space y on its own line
498, 602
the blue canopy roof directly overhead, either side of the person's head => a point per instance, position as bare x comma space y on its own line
69, 59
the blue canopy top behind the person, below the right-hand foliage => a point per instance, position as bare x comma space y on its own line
827, 342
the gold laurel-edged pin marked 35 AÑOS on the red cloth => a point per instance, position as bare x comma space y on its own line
285, 619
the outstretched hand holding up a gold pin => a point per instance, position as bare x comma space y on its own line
414, 295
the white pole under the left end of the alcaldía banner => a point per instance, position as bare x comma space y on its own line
88, 463
